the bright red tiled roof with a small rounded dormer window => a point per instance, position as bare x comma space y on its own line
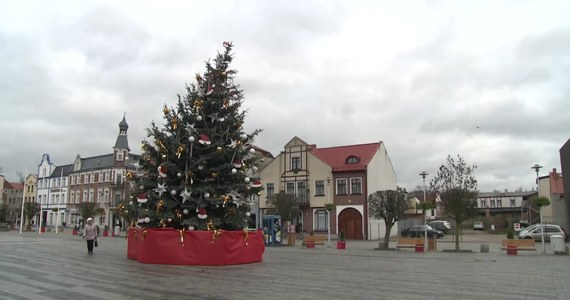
337, 157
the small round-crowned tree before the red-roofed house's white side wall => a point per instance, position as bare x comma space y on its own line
389, 205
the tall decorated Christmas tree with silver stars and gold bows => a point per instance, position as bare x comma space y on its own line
198, 171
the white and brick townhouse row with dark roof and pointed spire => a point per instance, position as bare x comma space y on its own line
102, 179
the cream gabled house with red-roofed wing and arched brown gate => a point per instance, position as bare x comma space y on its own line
343, 176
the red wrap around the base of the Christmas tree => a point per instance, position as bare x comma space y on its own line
200, 248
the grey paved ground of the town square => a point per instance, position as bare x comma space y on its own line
51, 266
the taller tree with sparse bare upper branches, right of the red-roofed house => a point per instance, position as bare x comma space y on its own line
457, 189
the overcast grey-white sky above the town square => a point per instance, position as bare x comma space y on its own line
487, 80
